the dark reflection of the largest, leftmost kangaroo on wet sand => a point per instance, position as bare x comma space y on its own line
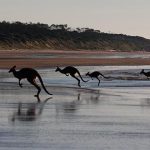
30, 111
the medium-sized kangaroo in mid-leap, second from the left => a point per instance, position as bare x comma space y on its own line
72, 71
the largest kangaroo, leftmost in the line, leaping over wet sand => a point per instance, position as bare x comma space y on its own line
30, 74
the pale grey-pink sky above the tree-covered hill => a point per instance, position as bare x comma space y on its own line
131, 17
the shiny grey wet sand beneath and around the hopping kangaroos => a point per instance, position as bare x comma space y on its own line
114, 116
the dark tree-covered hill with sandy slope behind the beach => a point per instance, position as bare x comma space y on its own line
19, 35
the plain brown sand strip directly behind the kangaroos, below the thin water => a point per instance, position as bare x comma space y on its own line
53, 62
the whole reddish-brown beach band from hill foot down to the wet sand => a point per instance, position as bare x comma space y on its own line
25, 58
